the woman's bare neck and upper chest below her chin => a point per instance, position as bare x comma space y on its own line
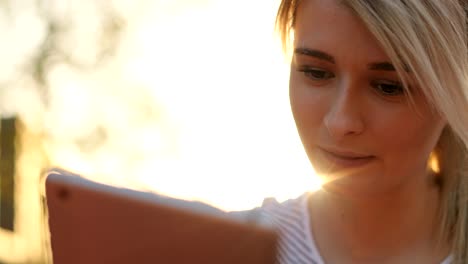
399, 222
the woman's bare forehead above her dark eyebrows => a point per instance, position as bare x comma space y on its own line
331, 26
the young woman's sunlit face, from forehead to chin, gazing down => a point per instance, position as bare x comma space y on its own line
350, 108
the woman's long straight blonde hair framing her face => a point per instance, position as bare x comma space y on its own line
427, 38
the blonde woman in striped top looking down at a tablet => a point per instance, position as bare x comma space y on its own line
377, 88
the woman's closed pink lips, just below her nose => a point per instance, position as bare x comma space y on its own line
346, 158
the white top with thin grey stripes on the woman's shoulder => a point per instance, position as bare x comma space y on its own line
291, 220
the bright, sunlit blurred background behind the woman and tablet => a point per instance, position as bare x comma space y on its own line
186, 98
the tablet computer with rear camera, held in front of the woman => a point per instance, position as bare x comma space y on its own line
91, 223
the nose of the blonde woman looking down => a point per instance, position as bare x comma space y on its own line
345, 115
